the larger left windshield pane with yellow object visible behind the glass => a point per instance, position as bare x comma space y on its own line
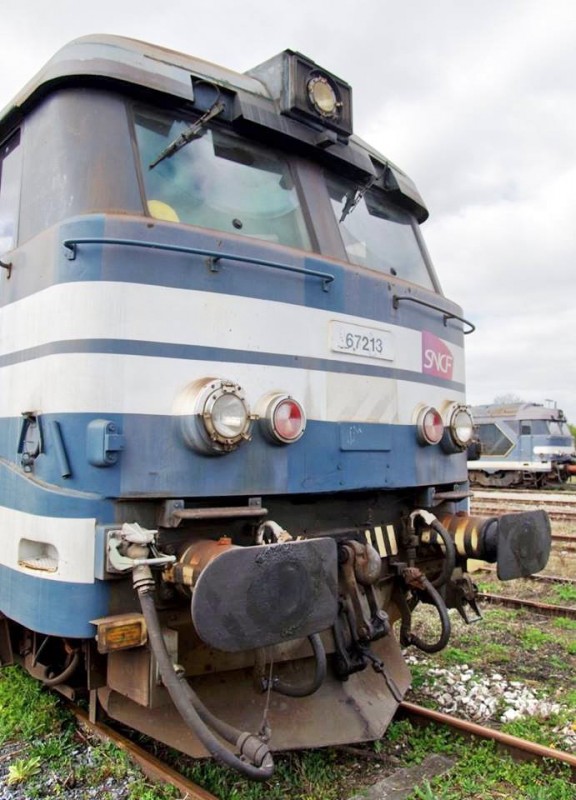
219, 181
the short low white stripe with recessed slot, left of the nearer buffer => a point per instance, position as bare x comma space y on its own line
73, 540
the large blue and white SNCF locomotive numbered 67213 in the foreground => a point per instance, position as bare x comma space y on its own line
233, 427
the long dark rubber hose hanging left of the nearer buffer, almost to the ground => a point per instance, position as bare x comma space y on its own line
250, 746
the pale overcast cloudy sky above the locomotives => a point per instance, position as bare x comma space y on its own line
474, 99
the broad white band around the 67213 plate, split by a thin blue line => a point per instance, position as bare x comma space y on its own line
120, 383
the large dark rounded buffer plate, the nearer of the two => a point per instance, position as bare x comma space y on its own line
251, 597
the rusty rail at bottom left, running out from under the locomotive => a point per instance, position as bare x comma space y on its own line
151, 766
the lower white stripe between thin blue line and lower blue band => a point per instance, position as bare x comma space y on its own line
121, 384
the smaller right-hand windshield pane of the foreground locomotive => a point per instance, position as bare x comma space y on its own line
378, 234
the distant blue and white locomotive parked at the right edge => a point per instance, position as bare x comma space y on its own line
521, 445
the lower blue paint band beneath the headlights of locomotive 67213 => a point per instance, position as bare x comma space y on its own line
156, 462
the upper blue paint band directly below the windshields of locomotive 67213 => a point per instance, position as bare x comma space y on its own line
354, 291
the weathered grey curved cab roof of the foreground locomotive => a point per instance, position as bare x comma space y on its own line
135, 65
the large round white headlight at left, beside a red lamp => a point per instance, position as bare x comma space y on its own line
214, 416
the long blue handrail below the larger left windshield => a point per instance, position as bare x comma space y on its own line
212, 256
